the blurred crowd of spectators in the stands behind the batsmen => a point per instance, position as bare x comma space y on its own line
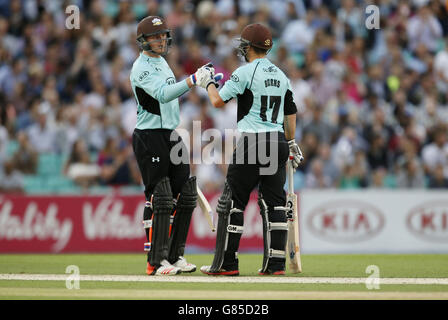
372, 104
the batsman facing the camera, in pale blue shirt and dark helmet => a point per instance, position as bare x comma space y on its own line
169, 190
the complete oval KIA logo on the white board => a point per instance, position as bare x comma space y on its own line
345, 221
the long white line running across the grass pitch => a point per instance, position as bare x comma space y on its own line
209, 279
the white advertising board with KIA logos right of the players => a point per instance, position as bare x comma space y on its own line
373, 221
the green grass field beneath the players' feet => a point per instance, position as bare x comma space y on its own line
328, 266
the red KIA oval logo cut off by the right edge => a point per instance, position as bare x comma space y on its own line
429, 221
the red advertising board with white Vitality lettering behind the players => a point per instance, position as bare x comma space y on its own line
110, 223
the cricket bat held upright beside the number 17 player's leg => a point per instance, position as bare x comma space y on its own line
293, 245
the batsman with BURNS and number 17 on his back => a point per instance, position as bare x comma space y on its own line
266, 118
